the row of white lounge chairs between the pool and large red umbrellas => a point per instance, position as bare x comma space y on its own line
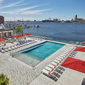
52, 69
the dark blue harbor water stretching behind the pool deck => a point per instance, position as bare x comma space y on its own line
58, 31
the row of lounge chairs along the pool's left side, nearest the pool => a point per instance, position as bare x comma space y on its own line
15, 46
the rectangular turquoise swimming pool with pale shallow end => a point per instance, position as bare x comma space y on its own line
35, 54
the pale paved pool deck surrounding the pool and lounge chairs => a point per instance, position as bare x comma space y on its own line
20, 73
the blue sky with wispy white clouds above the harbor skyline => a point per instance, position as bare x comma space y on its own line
42, 9
